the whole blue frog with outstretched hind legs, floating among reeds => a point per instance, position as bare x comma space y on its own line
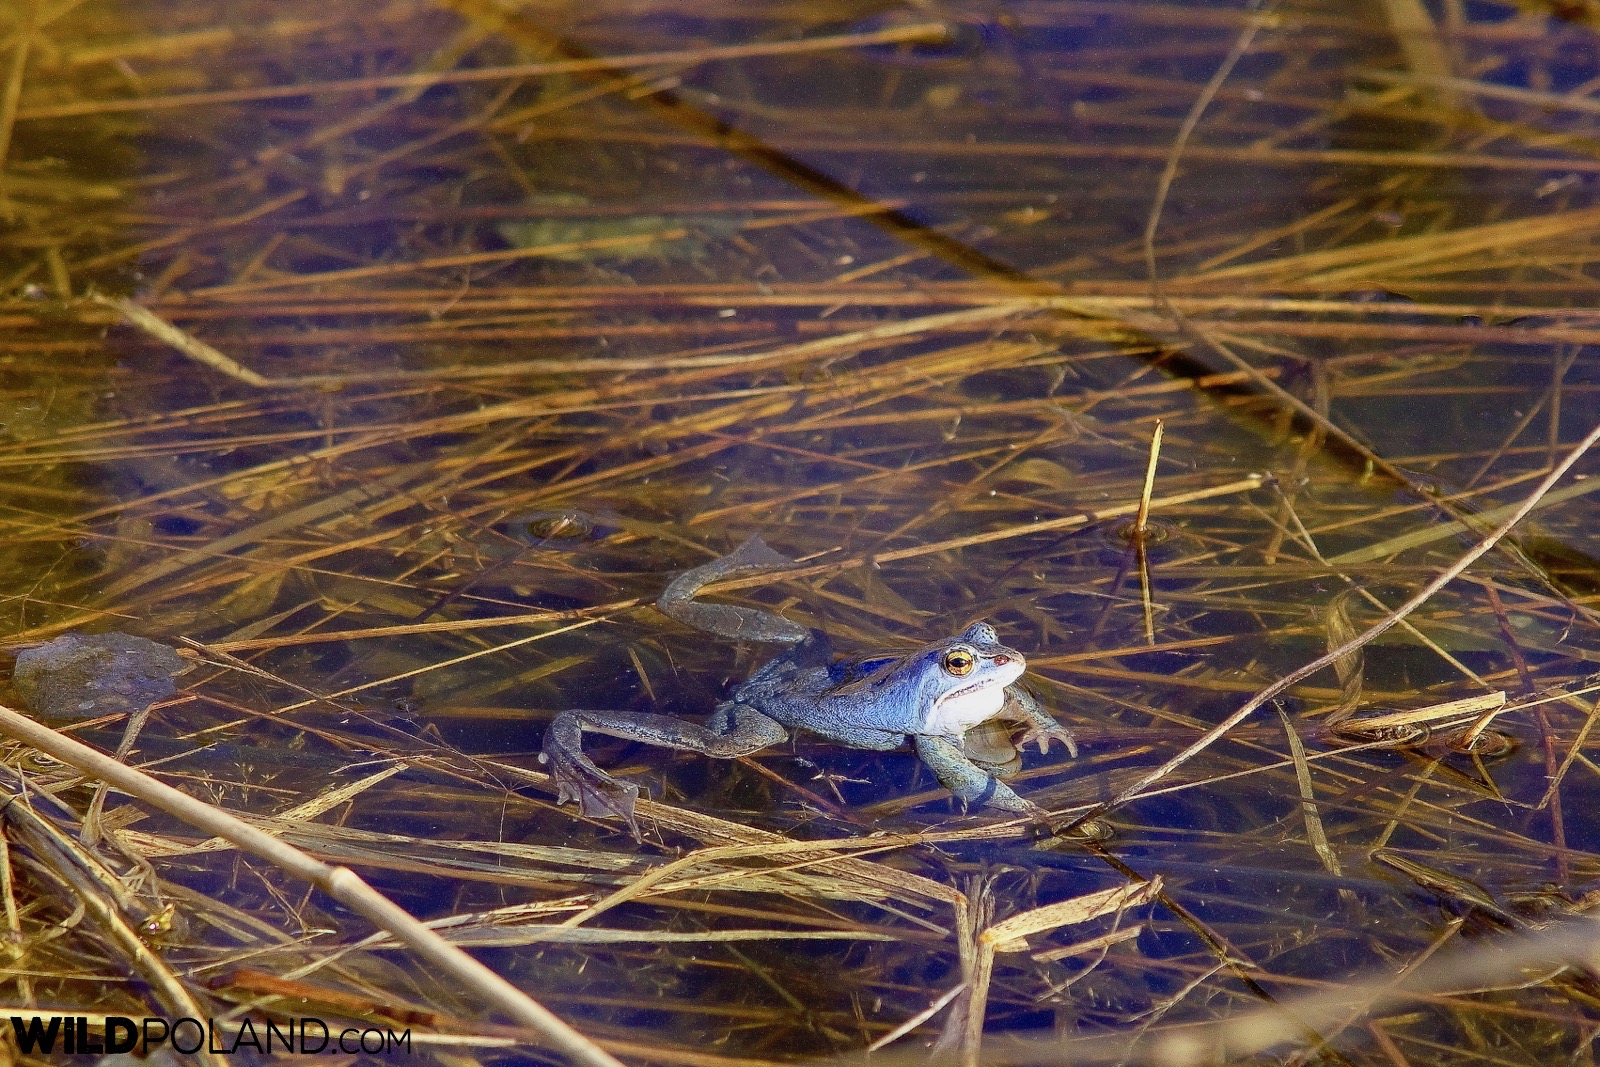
932, 697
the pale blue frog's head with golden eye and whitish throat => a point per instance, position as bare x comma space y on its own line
962, 679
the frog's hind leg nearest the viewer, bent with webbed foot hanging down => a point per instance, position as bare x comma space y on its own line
601, 794
